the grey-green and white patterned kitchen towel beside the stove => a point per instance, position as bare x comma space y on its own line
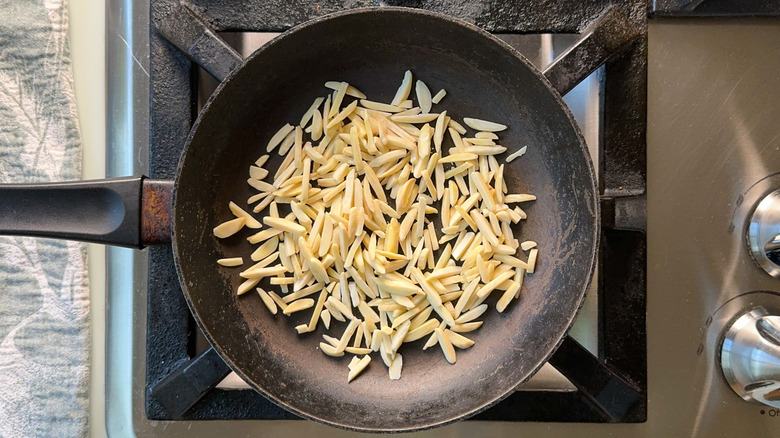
44, 295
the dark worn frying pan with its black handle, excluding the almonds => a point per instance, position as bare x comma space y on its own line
370, 49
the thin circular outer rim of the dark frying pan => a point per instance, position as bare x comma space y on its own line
592, 256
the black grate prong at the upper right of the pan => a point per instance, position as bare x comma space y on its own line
606, 36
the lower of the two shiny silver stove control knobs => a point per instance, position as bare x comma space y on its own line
750, 357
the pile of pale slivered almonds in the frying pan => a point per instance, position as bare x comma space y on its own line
364, 242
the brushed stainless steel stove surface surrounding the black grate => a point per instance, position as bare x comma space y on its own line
712, 151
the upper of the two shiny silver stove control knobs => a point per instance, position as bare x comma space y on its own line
764, 234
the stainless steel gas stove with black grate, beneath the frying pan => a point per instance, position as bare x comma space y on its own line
630, 365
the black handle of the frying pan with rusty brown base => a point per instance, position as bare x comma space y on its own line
130, 211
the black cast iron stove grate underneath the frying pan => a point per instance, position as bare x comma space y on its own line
611, 387
